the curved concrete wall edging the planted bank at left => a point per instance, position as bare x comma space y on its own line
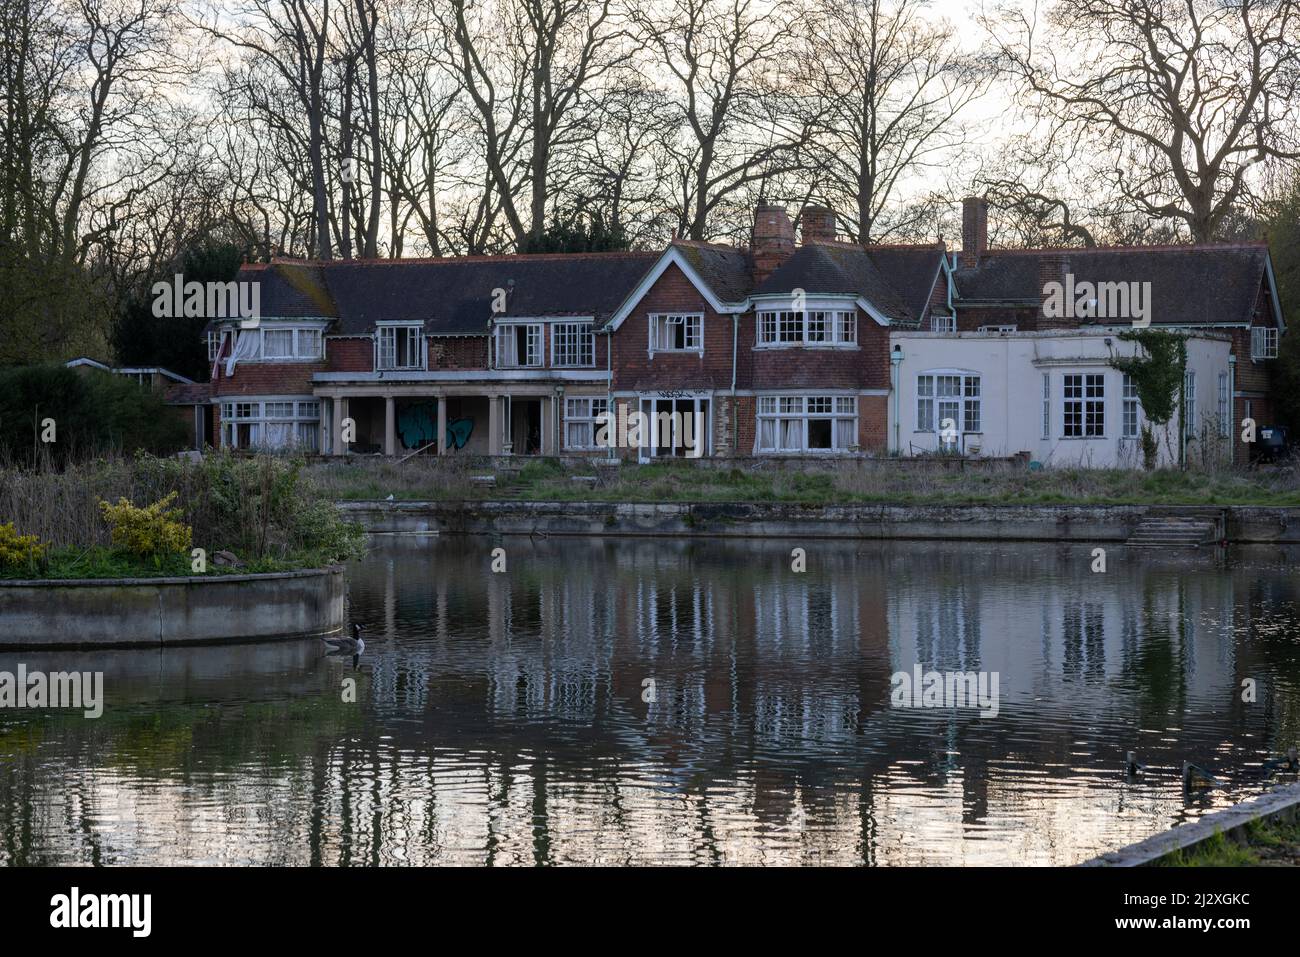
171, 612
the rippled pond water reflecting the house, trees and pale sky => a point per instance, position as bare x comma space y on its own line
505, 718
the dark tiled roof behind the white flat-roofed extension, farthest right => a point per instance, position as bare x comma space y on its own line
1190, 285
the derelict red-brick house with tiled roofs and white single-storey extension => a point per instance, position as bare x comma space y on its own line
820, 348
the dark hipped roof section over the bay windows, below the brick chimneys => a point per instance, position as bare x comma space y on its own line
898, 280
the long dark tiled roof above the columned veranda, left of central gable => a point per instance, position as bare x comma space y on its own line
450, 297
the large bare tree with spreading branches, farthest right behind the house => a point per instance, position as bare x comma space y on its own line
1177, 101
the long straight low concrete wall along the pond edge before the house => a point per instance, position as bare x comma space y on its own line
1006, 523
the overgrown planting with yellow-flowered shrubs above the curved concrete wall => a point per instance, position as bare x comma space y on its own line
261, 510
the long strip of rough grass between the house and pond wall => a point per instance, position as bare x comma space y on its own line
813, 484
